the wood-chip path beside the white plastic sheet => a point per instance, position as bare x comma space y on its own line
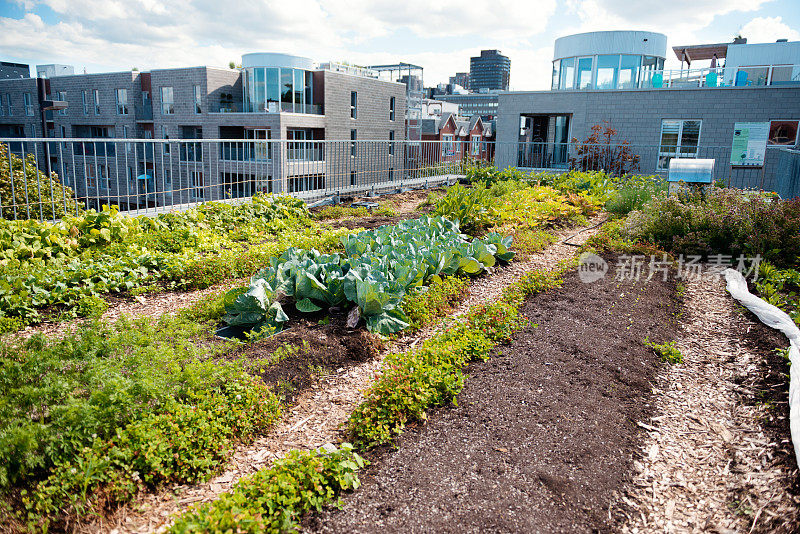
708, 463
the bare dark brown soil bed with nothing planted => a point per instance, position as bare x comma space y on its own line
544, 433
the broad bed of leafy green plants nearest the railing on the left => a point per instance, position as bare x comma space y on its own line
44, 265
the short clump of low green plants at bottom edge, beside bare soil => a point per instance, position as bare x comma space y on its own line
273, 499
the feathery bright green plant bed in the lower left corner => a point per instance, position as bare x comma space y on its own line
91, 419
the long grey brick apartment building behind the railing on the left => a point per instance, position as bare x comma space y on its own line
284, 104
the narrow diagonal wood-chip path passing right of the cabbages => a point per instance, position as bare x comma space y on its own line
318, 414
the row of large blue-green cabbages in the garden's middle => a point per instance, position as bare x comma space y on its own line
378, 268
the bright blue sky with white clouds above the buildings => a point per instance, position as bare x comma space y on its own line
441, 36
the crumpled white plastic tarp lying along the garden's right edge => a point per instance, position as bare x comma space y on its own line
779, 320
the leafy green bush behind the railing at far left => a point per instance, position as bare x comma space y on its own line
29, 192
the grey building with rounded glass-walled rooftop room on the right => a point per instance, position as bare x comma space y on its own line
740, 109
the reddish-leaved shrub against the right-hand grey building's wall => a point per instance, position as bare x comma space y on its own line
601, 152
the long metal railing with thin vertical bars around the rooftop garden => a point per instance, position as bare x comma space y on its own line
151, 176
